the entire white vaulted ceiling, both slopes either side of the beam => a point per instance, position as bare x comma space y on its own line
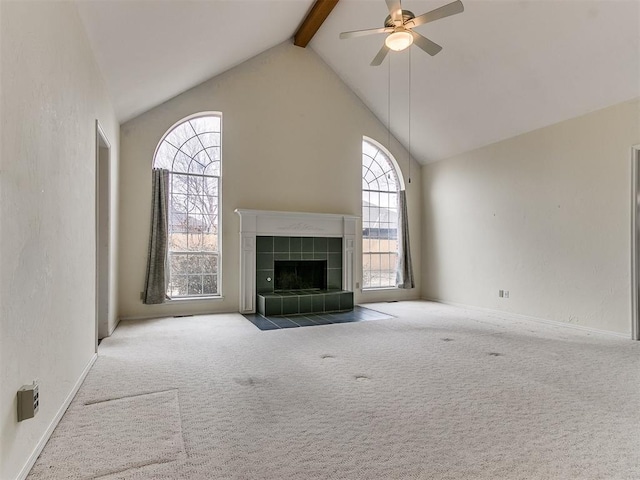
507, 66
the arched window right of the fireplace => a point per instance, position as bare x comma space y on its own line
381, 183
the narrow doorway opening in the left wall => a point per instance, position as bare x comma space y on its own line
103, 228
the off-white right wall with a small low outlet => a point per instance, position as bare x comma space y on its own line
545, 215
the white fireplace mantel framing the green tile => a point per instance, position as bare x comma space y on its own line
290, 224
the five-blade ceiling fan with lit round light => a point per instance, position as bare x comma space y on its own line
399, 25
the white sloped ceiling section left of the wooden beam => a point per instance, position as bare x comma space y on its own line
151, 50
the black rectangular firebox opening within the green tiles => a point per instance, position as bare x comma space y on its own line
300, 275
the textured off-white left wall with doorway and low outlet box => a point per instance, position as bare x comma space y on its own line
52, 94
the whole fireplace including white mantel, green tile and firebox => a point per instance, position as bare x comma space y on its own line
268, 237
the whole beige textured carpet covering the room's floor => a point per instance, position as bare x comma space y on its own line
436, 393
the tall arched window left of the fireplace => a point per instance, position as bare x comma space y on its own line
190, 150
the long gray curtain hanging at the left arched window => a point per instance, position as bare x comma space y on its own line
155, 287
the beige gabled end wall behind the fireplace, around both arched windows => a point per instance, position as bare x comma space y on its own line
292, 134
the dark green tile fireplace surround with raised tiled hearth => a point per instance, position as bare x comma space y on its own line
270, 249
